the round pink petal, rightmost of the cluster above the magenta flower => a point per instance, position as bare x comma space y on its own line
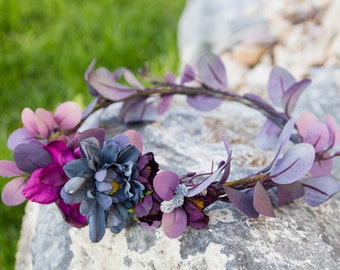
67, 115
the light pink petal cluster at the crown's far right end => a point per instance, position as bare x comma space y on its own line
323, 137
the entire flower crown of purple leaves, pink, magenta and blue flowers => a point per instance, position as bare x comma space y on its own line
107, 183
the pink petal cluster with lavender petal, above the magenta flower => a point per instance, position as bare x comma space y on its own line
43, 125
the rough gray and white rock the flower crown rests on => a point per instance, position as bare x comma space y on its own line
300, 237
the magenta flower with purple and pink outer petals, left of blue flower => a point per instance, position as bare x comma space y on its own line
44, 164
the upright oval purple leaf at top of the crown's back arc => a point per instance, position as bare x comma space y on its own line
212, 71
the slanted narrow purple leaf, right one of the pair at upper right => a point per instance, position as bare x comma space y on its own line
291, 96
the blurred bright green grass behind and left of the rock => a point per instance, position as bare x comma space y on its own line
46, 45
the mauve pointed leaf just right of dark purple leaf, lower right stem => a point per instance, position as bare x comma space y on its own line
262, 202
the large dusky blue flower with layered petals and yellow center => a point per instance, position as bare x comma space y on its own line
105, 182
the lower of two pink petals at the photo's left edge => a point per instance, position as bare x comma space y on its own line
12, 192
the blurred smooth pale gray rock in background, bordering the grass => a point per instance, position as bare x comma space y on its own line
218, 25
